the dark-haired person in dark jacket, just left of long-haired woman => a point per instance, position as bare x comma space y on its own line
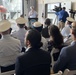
45, 33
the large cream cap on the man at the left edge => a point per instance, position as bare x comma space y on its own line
4, 25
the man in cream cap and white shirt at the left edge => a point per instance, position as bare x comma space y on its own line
9, 47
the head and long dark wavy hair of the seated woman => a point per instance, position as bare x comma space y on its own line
57, 39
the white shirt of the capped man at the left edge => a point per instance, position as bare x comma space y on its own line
9, 50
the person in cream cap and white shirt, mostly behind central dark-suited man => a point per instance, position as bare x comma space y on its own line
38, 26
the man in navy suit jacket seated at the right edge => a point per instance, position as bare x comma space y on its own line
67, 55
